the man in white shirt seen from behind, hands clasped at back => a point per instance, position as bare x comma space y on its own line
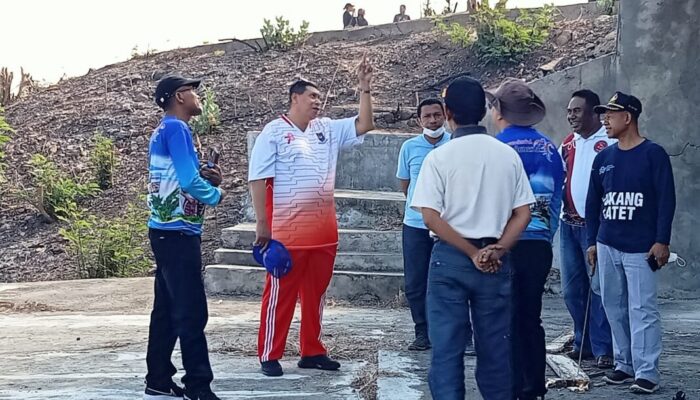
475, 198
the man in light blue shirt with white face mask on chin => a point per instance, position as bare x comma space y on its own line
417, 243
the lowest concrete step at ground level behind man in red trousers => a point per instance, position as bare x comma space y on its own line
346, 285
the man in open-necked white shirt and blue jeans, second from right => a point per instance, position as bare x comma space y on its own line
578, 151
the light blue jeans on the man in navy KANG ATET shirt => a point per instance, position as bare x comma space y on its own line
628, 286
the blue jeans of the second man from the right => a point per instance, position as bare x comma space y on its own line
575, 285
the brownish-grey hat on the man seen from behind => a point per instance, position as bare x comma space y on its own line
517, 103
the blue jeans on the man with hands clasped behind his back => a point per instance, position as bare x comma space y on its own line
455, 286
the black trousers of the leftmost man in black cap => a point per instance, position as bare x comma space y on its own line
179, 311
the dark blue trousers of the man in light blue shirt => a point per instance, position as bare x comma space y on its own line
417, 246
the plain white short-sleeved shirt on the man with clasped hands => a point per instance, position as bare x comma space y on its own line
474, 182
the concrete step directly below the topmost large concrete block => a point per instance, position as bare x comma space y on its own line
358, 208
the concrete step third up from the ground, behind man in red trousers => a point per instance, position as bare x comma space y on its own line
242, 236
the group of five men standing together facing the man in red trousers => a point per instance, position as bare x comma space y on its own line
477, 256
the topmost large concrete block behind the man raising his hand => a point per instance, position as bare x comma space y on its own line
358, 168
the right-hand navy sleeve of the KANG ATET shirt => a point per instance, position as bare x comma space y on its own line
665, 194
